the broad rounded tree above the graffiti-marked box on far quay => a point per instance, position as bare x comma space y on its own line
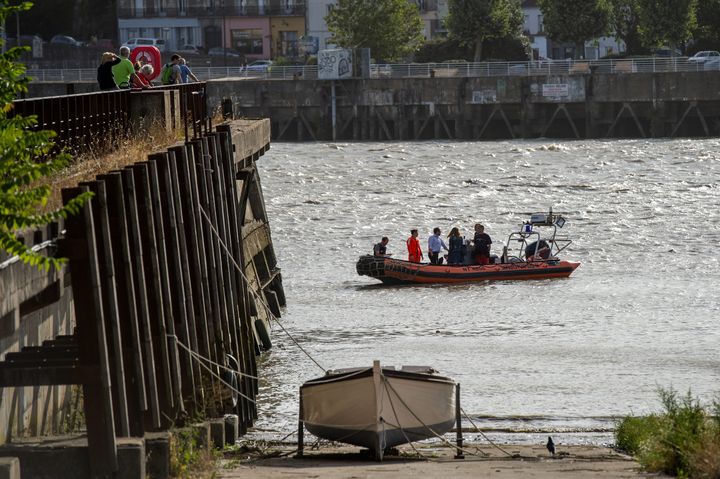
391, 29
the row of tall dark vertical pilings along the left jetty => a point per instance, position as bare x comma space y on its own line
157, 289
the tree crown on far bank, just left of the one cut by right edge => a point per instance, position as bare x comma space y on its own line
668, 22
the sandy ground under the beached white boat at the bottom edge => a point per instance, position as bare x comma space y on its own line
485, 461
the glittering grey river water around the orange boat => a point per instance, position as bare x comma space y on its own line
564, 356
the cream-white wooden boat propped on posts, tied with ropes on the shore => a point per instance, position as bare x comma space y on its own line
378, 407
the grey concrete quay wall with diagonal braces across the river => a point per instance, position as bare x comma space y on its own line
637, 105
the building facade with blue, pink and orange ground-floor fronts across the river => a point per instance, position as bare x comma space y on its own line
251, 29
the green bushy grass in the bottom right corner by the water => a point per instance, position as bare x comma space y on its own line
683, 440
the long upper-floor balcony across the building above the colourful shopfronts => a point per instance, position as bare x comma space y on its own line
276, 9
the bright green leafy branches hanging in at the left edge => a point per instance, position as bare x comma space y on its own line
24, 160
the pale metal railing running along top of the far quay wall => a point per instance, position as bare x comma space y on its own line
414, 70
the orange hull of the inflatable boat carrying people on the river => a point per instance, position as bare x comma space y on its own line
393, 271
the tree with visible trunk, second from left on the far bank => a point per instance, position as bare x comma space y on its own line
474, 22
